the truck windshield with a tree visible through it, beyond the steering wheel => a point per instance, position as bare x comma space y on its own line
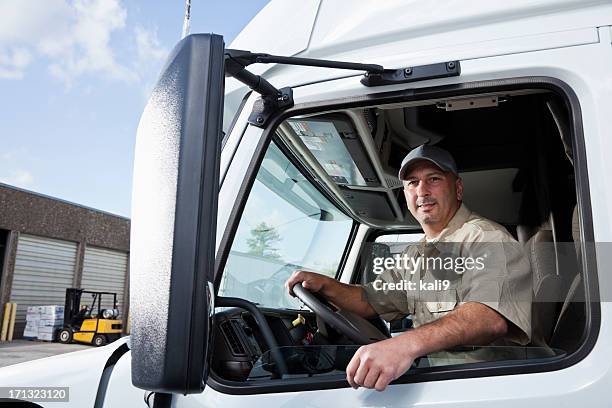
287, 225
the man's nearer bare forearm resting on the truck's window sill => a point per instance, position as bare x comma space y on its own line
469, 324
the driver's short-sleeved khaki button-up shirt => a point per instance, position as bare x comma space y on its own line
499, 276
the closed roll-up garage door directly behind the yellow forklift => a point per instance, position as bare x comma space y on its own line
105, 270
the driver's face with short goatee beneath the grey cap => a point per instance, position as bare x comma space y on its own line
433, 195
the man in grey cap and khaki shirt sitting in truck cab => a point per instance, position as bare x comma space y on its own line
487, 303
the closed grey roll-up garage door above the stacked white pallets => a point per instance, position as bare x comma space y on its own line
44, 268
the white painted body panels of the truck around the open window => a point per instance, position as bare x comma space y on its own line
570, 41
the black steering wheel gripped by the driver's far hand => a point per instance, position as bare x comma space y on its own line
348, 323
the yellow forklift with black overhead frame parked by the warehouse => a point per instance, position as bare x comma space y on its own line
89, 324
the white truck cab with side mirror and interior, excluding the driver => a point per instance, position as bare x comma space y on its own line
236, 187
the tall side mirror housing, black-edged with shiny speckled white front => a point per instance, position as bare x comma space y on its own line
174, 216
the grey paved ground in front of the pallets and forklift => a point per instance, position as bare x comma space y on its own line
19, 351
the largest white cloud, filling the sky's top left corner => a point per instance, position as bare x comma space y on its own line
73, 35
